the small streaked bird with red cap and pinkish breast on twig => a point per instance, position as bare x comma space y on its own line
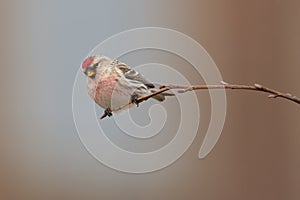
112, 84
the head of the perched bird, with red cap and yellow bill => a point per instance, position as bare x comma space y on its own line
89, 66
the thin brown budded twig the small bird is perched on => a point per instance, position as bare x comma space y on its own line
183, 88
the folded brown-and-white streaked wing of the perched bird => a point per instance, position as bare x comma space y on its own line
131, 74
